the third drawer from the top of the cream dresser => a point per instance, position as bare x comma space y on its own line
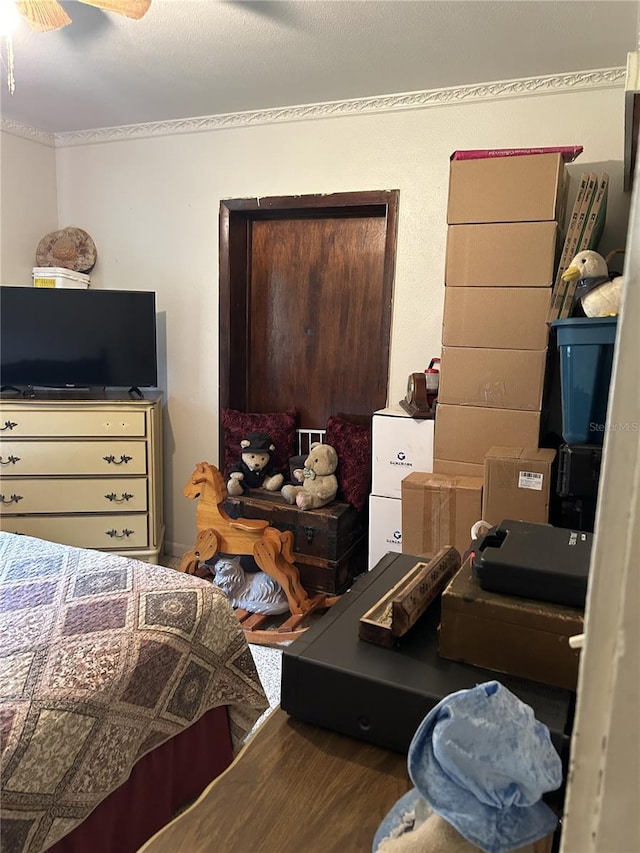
24, 496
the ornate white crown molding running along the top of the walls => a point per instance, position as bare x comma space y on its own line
604, 78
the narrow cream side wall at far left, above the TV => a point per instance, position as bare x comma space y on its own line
28, 205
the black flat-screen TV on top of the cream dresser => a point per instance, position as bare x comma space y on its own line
67, 338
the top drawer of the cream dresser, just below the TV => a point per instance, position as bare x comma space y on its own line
16, 422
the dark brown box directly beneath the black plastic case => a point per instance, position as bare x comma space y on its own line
507, 634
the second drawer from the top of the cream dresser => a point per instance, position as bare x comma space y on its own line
72, 457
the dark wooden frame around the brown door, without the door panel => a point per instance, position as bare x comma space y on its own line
236, 217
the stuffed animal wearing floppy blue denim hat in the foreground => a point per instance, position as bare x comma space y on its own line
480, 763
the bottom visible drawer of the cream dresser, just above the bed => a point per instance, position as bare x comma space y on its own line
113, 533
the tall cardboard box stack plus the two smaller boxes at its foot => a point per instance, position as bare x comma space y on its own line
503, 218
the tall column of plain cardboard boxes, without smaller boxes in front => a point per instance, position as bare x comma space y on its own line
503, 216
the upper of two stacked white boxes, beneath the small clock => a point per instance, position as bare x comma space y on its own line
400, 444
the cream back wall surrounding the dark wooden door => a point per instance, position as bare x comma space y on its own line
151, 205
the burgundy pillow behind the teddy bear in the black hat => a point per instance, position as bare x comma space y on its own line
280, 426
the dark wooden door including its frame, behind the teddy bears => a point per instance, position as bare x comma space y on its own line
306, 289
